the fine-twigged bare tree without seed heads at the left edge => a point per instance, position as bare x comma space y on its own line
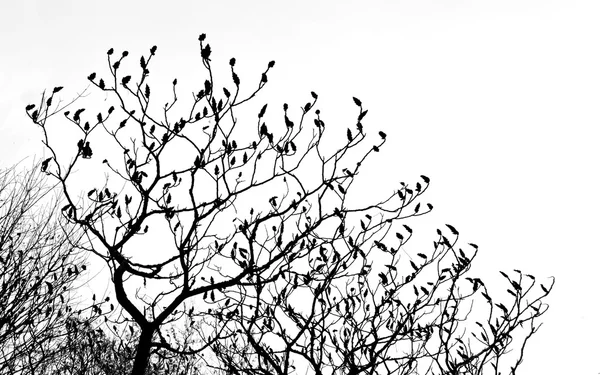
40, 260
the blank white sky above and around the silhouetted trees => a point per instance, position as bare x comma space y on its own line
496, 101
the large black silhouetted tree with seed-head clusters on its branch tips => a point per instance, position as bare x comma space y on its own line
257, 234
